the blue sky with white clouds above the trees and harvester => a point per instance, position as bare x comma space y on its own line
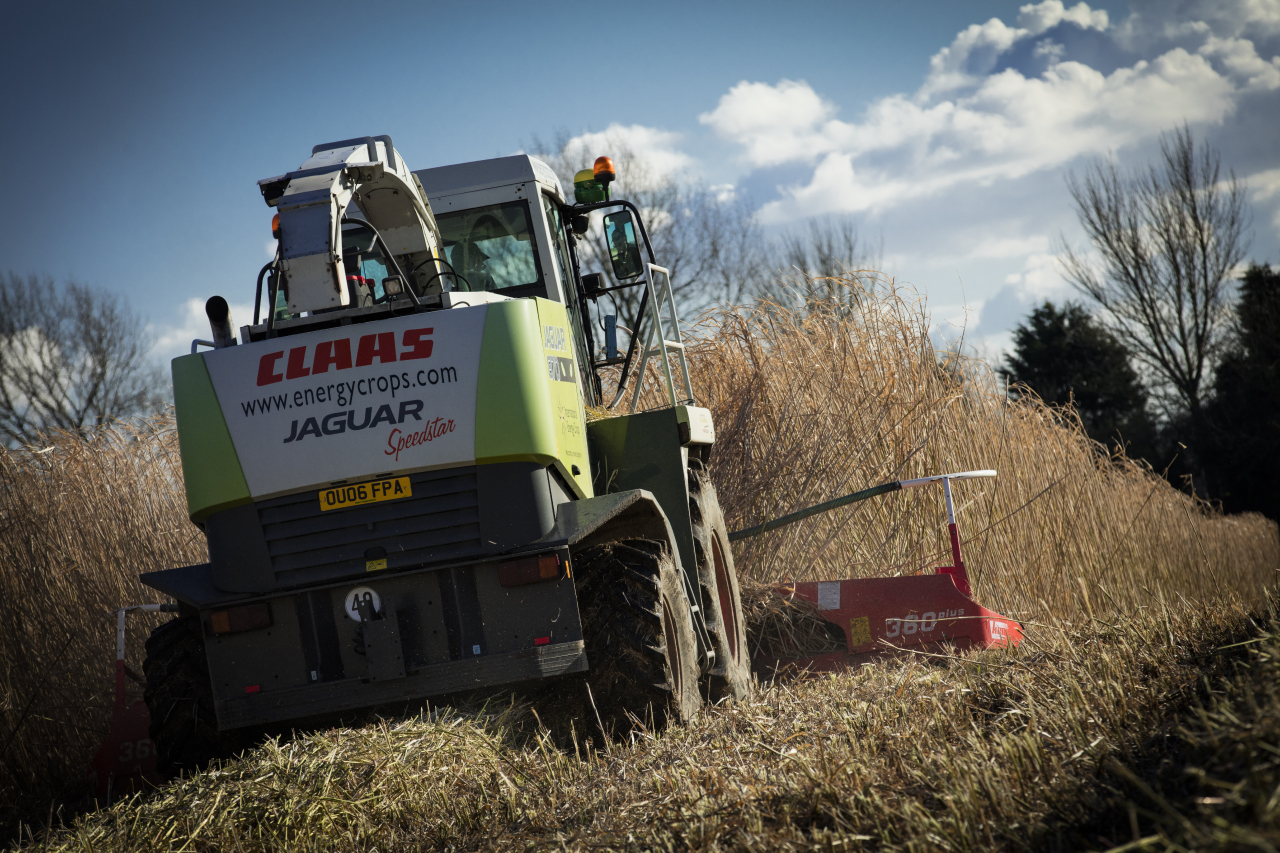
139, 131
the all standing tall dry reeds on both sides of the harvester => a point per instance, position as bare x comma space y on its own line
808, 407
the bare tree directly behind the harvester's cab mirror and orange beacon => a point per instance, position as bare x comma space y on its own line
708, 239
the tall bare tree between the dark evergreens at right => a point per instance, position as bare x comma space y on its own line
1169, 240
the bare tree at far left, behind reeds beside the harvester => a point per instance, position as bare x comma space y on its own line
71, 358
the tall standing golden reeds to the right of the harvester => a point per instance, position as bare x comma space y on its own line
820, 403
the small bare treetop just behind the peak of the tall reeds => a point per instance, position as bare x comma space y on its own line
808, 262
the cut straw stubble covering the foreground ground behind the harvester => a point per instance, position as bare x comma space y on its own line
1060, 746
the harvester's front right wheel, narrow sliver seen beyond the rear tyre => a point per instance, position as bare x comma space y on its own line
721, 597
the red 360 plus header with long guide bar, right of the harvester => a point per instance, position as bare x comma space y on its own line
881, 617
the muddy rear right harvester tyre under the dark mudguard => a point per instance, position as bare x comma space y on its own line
639, 635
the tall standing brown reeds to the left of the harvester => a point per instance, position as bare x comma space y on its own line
79, 522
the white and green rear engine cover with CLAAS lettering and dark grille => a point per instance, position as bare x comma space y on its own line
479, 408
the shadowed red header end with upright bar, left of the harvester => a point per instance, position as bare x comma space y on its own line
129, 758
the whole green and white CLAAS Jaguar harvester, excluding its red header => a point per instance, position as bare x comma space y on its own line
401, 491
